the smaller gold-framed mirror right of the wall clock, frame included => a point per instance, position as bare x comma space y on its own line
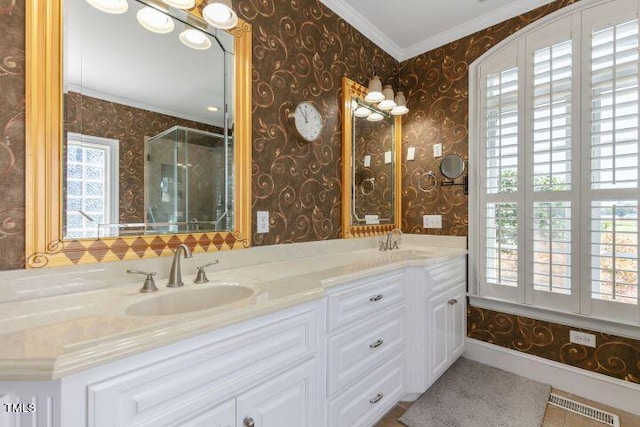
371, 159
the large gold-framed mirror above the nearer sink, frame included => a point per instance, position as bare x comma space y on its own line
51, 239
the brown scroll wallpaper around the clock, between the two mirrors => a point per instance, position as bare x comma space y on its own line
301, 50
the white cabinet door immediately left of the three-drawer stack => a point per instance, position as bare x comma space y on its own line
289, 400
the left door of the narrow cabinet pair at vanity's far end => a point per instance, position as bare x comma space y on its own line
439, 342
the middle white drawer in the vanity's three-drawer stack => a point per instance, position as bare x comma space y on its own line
357, 350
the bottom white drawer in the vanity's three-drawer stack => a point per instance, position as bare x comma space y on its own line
369, 399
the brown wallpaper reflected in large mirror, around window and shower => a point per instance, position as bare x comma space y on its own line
129, 125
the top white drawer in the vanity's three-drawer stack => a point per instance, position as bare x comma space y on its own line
364, 300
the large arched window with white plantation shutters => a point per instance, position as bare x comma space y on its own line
557, 155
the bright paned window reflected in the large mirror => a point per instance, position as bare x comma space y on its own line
91, 188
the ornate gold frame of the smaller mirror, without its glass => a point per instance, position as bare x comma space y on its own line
351, 89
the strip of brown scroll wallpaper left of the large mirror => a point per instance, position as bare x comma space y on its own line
12, 125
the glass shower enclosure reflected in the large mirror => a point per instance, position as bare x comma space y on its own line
188, 181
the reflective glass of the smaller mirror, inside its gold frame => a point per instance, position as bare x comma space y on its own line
373, 167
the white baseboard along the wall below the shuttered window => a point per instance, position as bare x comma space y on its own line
600, 388
